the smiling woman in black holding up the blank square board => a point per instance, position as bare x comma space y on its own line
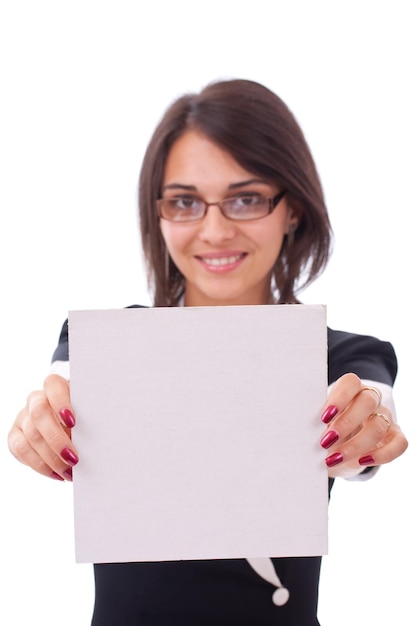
231, 213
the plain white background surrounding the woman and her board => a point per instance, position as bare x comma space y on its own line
82, 86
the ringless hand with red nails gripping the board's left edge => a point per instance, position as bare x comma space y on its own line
41, 434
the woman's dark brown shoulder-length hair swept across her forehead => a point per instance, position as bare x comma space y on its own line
256, 127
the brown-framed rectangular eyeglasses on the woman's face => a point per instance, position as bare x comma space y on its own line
244, 206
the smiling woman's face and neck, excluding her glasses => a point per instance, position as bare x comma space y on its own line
224, 262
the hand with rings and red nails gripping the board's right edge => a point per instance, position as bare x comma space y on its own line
360, 430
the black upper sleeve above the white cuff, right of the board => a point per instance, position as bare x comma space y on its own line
368, 357
